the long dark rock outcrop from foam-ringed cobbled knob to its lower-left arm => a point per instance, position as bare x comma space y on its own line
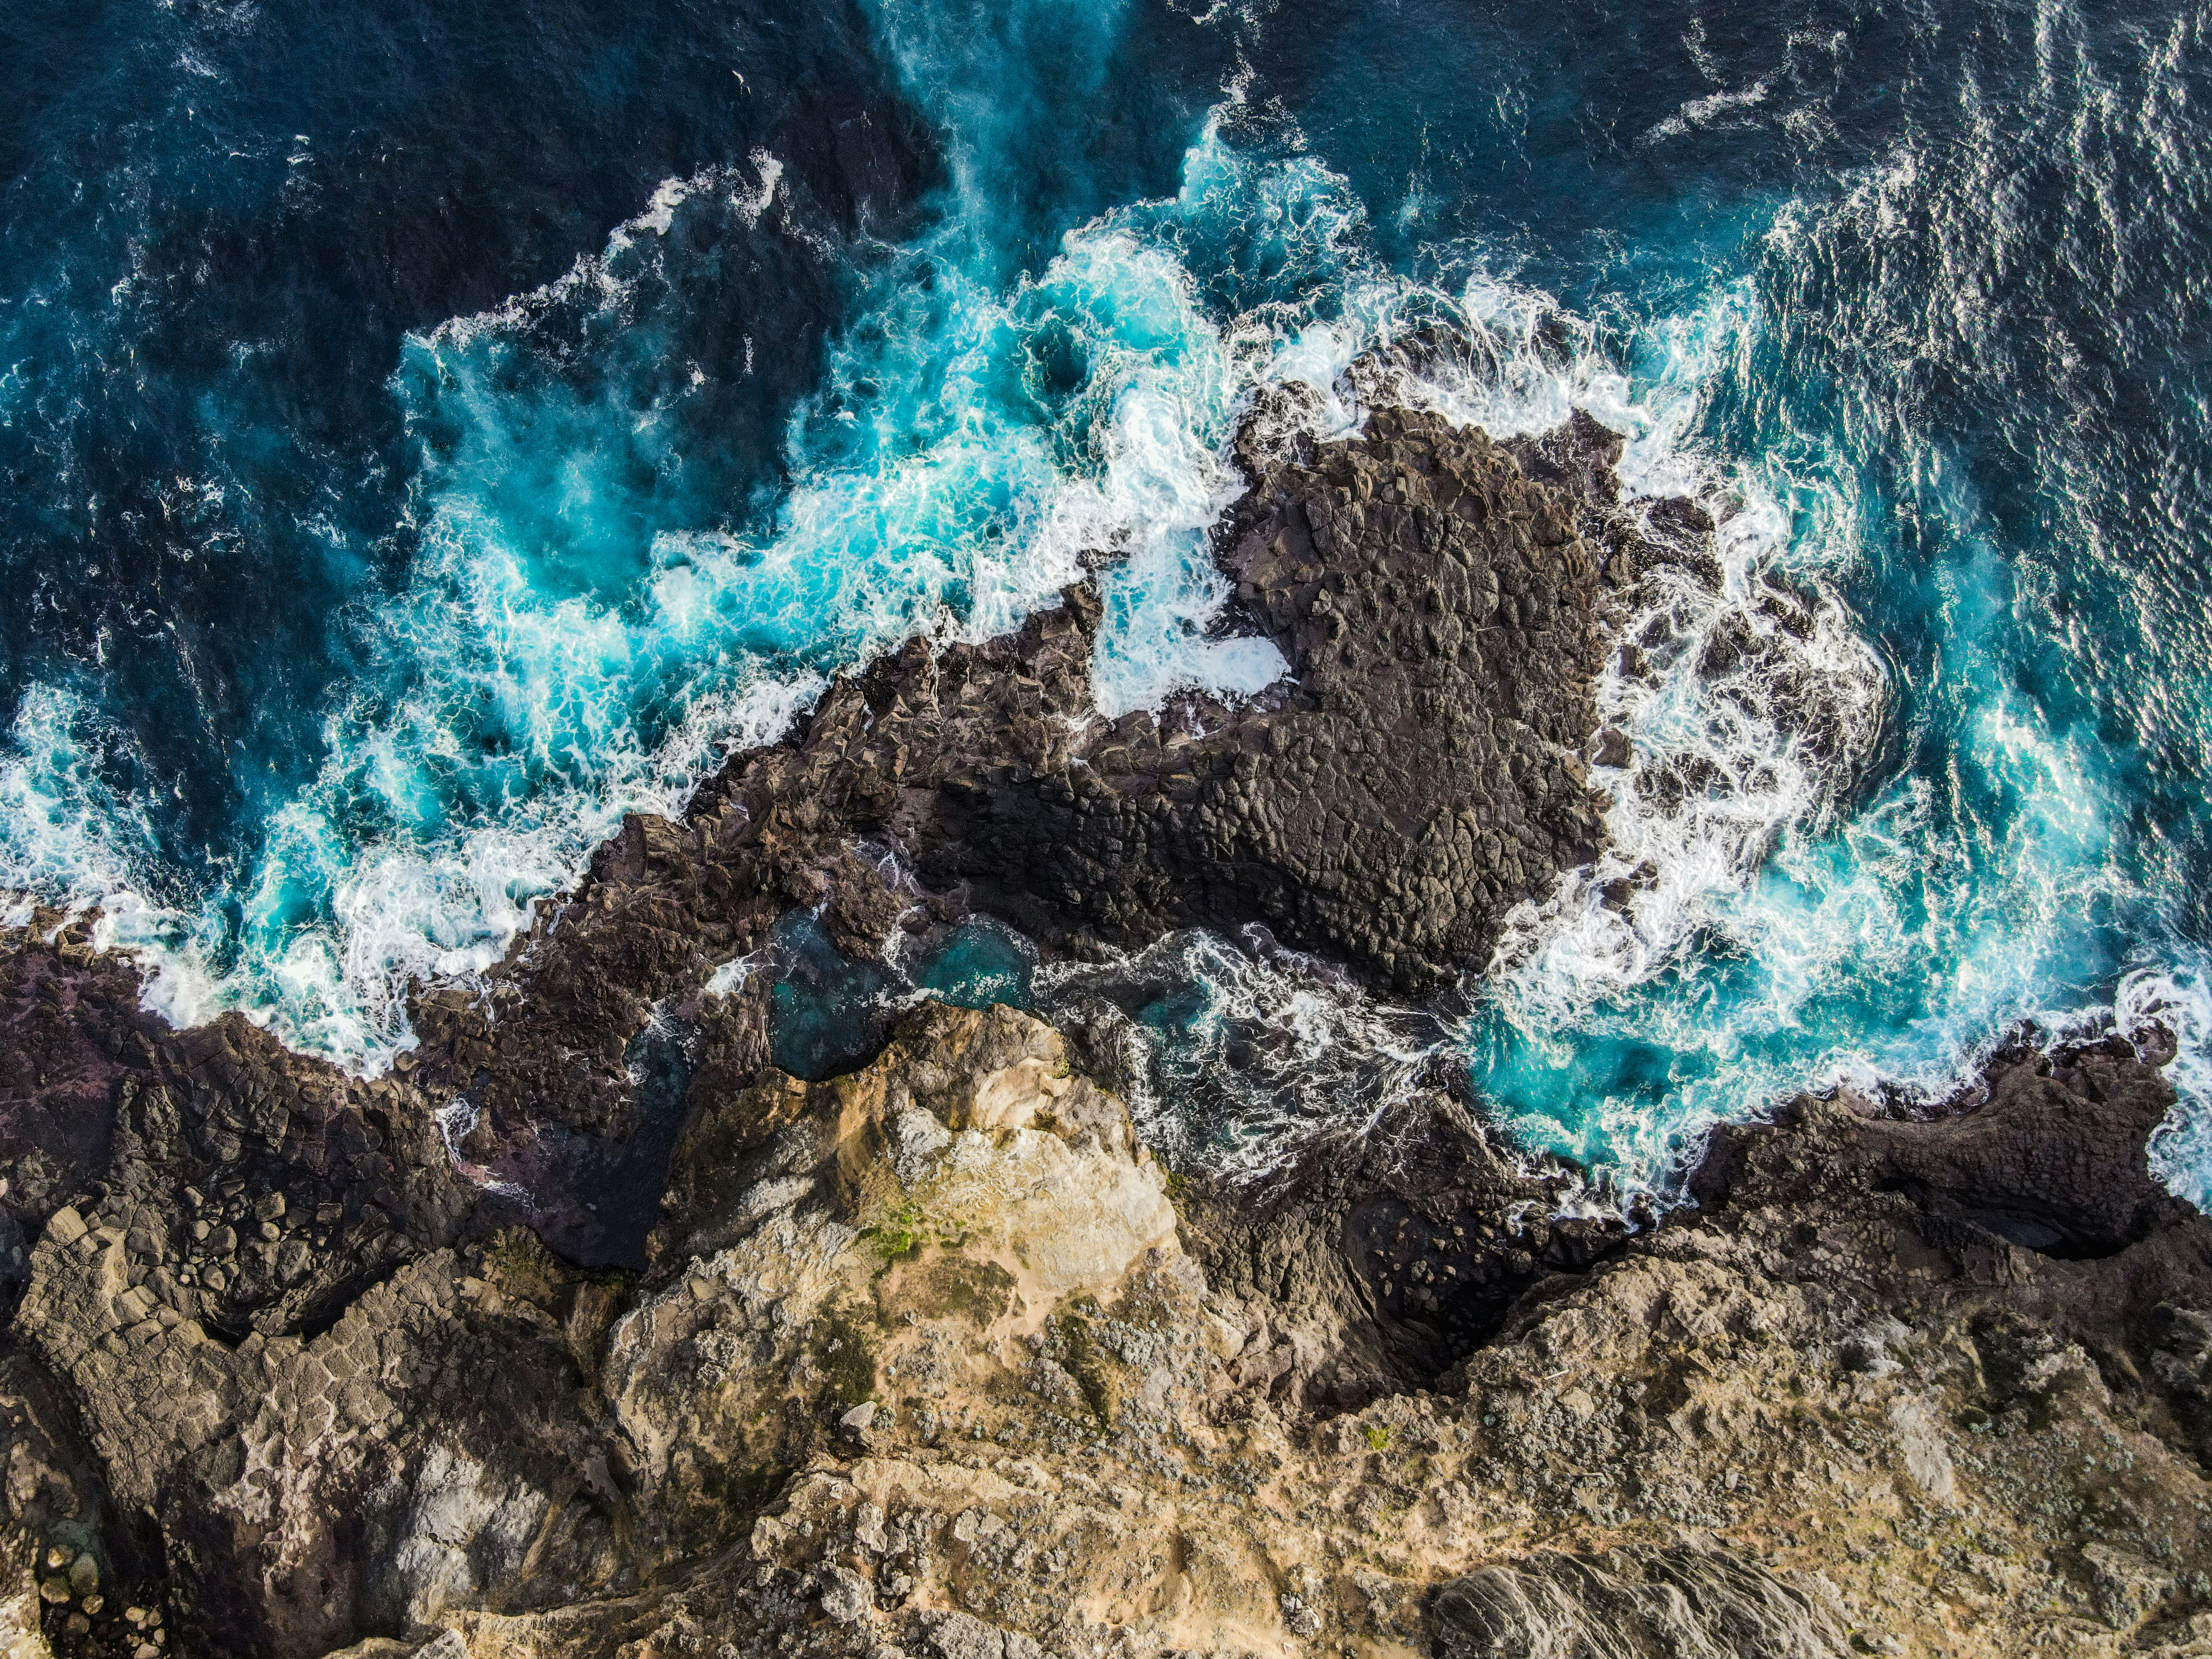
1417, 775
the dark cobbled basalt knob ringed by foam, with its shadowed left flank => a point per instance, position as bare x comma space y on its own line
1415, 780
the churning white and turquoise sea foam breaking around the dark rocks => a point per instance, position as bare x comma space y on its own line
1751, 930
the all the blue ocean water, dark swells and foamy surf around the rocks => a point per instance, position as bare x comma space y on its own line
435, 432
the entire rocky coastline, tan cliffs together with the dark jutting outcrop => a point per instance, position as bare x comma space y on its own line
539, 1348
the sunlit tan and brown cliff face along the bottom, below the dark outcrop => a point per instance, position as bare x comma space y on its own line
932, 1370
